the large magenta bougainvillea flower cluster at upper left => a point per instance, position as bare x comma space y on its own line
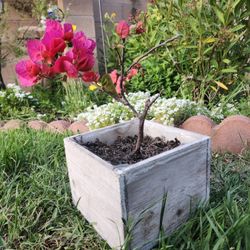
49, 56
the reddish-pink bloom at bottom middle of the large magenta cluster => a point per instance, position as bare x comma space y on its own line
64, 65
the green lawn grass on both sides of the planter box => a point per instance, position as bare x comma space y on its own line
36, 210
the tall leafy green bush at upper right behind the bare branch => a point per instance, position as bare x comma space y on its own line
211, 56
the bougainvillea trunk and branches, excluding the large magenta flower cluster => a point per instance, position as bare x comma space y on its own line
115, 83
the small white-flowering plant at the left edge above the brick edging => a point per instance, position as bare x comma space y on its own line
14, 102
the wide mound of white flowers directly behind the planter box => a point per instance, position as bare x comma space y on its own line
168, 111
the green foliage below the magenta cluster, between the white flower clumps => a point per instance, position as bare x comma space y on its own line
59, 99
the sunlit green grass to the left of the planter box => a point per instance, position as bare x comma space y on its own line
36, 211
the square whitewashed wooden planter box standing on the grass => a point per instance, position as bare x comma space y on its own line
106, 194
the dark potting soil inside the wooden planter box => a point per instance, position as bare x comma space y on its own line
120, 151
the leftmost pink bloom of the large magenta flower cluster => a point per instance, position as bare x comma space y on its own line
28, 73
